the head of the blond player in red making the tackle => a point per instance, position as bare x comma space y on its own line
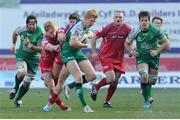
50, 28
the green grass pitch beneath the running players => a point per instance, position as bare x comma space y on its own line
127, 104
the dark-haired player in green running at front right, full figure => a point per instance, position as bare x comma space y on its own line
147, 53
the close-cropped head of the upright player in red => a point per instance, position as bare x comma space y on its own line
118, 18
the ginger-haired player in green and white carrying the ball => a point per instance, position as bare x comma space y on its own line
75, 60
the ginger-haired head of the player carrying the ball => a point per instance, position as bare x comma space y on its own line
90, 18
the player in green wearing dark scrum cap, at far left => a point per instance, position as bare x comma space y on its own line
27, 56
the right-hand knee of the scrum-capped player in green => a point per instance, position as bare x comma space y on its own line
27, 80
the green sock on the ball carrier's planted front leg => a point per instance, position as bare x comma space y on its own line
79, 91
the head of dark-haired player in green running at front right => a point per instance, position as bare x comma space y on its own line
144, 20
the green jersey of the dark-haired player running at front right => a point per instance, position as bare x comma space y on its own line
146, 40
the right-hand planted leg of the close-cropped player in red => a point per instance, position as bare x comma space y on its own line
111, 90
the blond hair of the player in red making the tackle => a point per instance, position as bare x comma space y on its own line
50, 25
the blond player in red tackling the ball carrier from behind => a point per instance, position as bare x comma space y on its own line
50, 49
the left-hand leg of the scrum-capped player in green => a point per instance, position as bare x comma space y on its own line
21, 71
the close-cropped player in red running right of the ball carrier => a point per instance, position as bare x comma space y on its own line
111, 55
